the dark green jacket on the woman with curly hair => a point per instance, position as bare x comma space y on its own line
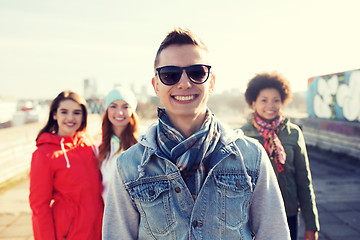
295, 181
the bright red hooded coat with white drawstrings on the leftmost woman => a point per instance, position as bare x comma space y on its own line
65, 189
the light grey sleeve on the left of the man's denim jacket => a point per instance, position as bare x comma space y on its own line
121, 218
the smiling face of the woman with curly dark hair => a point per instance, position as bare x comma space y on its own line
268, 104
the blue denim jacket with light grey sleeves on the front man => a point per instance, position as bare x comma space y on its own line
240, 197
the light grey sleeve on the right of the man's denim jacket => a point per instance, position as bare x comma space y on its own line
267, 212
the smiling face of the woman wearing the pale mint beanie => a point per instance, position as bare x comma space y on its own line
119, 114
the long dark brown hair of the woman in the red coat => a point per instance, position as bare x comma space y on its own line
52, 126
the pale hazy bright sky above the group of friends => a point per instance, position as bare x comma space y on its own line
50, 46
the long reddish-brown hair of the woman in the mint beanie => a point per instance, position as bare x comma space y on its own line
127, 138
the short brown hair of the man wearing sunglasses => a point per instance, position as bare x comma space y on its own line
179, 36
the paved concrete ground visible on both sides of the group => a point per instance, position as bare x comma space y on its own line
336, 183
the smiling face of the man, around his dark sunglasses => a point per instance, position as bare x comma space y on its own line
183, 99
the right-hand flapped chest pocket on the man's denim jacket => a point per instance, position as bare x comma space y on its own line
233, 194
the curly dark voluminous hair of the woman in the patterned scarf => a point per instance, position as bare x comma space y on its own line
268, 80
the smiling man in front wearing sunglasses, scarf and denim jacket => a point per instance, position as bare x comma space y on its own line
190, 177
